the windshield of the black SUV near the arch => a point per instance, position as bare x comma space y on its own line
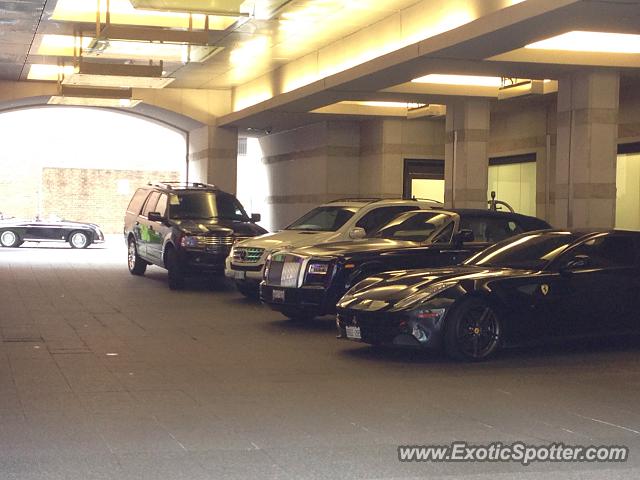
205, 205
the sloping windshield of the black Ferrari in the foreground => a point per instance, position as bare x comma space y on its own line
530, 251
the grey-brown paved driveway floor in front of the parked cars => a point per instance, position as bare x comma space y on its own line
108, 376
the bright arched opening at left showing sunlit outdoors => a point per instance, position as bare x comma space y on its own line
83, 163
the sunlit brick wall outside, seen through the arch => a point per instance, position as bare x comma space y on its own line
92, 195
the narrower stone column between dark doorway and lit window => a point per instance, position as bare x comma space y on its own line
466, 160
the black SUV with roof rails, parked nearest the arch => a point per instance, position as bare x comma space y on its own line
187, 228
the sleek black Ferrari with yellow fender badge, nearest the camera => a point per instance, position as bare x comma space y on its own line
530, 287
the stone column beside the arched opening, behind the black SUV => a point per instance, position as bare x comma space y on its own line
213, 157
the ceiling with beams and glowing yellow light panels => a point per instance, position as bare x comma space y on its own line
257, 46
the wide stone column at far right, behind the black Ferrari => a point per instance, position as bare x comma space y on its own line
585, 194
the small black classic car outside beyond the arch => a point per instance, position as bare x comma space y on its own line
14, 232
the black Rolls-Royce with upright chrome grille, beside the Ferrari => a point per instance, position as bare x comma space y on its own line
306, 282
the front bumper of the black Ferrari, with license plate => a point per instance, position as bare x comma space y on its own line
390, 329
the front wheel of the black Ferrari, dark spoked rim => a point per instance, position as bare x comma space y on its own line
473, 332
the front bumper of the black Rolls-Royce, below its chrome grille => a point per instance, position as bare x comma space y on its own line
307, 298
